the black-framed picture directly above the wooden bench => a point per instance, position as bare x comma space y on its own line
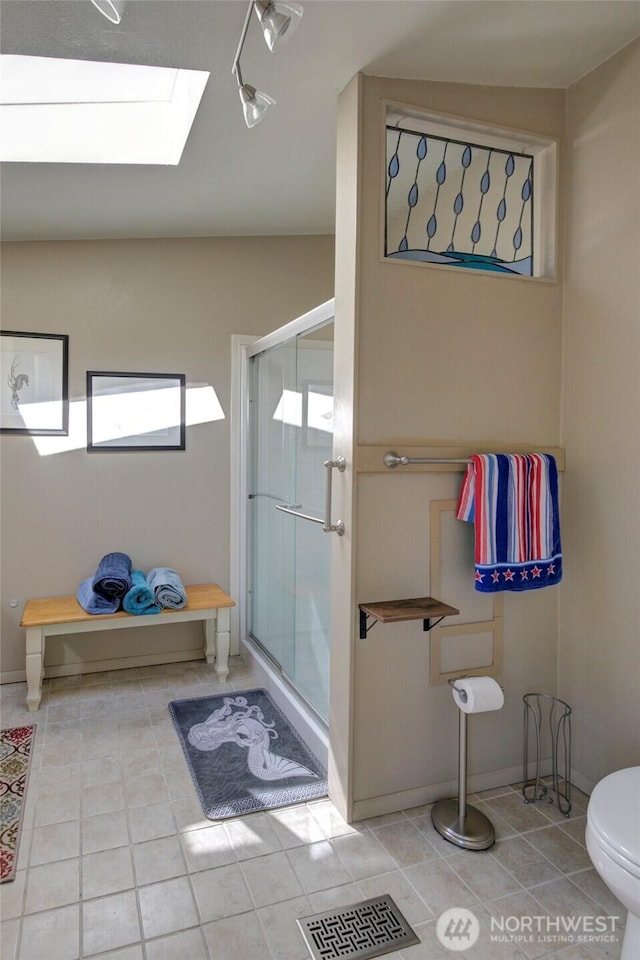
135, 411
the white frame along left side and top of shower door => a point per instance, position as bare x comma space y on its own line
244, 348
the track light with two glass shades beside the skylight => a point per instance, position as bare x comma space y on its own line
278, 21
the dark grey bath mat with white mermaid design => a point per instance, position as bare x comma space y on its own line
244, 755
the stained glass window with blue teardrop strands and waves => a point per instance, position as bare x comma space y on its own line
457, 202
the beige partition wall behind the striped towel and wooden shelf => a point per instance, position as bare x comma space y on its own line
452, 355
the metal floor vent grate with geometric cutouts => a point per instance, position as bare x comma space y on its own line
360, 930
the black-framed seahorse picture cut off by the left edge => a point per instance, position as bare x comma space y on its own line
34, 383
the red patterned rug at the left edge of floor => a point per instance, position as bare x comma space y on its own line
16, 746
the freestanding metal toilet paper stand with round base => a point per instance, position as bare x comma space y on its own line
455, 819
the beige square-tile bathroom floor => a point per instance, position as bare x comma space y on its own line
117, 861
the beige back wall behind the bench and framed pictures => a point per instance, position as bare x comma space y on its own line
157, 306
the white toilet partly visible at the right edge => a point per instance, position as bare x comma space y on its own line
613, 843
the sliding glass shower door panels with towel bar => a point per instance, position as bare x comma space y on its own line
291, 436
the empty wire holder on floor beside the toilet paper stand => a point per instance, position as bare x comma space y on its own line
558, 717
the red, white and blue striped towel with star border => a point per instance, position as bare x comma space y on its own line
512, 501
